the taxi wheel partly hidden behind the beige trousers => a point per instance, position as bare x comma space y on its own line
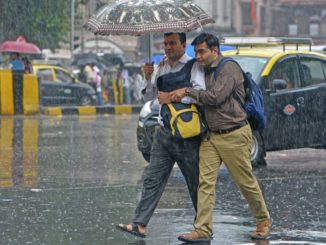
257, 151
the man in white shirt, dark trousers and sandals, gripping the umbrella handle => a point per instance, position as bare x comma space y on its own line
166, 150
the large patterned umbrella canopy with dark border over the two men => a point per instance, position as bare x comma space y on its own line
137, 17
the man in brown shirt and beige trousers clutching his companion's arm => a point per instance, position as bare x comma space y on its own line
229, 140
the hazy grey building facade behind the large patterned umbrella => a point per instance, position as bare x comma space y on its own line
232, 17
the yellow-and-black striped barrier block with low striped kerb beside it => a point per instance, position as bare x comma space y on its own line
19, 94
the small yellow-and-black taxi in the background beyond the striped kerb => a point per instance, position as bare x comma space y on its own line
59, 88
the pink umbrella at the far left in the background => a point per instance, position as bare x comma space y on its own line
19, 46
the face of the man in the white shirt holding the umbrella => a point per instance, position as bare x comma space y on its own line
173, 48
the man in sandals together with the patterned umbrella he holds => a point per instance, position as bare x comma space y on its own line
174, 17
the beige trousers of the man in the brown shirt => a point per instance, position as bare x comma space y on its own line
233, 149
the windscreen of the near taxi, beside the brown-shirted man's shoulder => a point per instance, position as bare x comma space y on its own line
254, 65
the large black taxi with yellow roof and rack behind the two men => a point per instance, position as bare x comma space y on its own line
293, 83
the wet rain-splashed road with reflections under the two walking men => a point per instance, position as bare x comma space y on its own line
69, 180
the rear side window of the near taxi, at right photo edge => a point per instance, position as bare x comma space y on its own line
313, 71
